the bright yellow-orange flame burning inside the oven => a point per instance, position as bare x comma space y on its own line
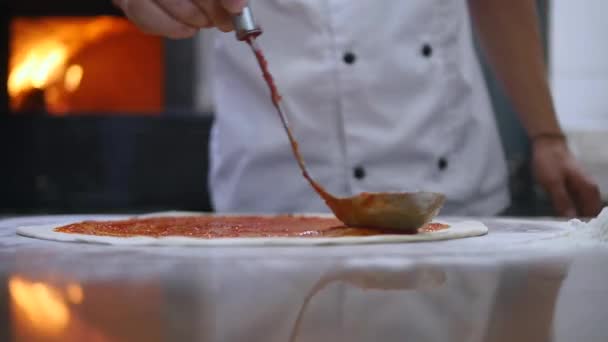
41, 50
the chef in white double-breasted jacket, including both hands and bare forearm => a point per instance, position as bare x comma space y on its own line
383, 95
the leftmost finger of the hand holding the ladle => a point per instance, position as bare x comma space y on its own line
152, 19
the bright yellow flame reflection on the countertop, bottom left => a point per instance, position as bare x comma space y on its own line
40, 304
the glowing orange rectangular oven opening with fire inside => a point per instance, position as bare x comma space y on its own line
99, 65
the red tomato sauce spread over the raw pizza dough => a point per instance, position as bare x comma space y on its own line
210, 227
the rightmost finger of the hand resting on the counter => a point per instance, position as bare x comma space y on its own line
586, 192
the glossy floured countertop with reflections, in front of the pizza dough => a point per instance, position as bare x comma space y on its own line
424, 292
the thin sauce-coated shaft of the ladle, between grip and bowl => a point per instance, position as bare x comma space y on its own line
275, 95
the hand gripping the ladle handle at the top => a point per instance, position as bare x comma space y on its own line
180, 18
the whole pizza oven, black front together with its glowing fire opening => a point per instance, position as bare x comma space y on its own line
96, 115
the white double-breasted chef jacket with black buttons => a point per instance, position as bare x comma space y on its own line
383, 95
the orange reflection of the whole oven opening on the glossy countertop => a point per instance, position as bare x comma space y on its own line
47, 310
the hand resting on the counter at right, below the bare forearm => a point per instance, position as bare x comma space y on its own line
572, 191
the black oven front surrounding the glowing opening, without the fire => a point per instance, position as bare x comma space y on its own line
103, 162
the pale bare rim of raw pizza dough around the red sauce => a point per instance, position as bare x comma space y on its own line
457, 230
